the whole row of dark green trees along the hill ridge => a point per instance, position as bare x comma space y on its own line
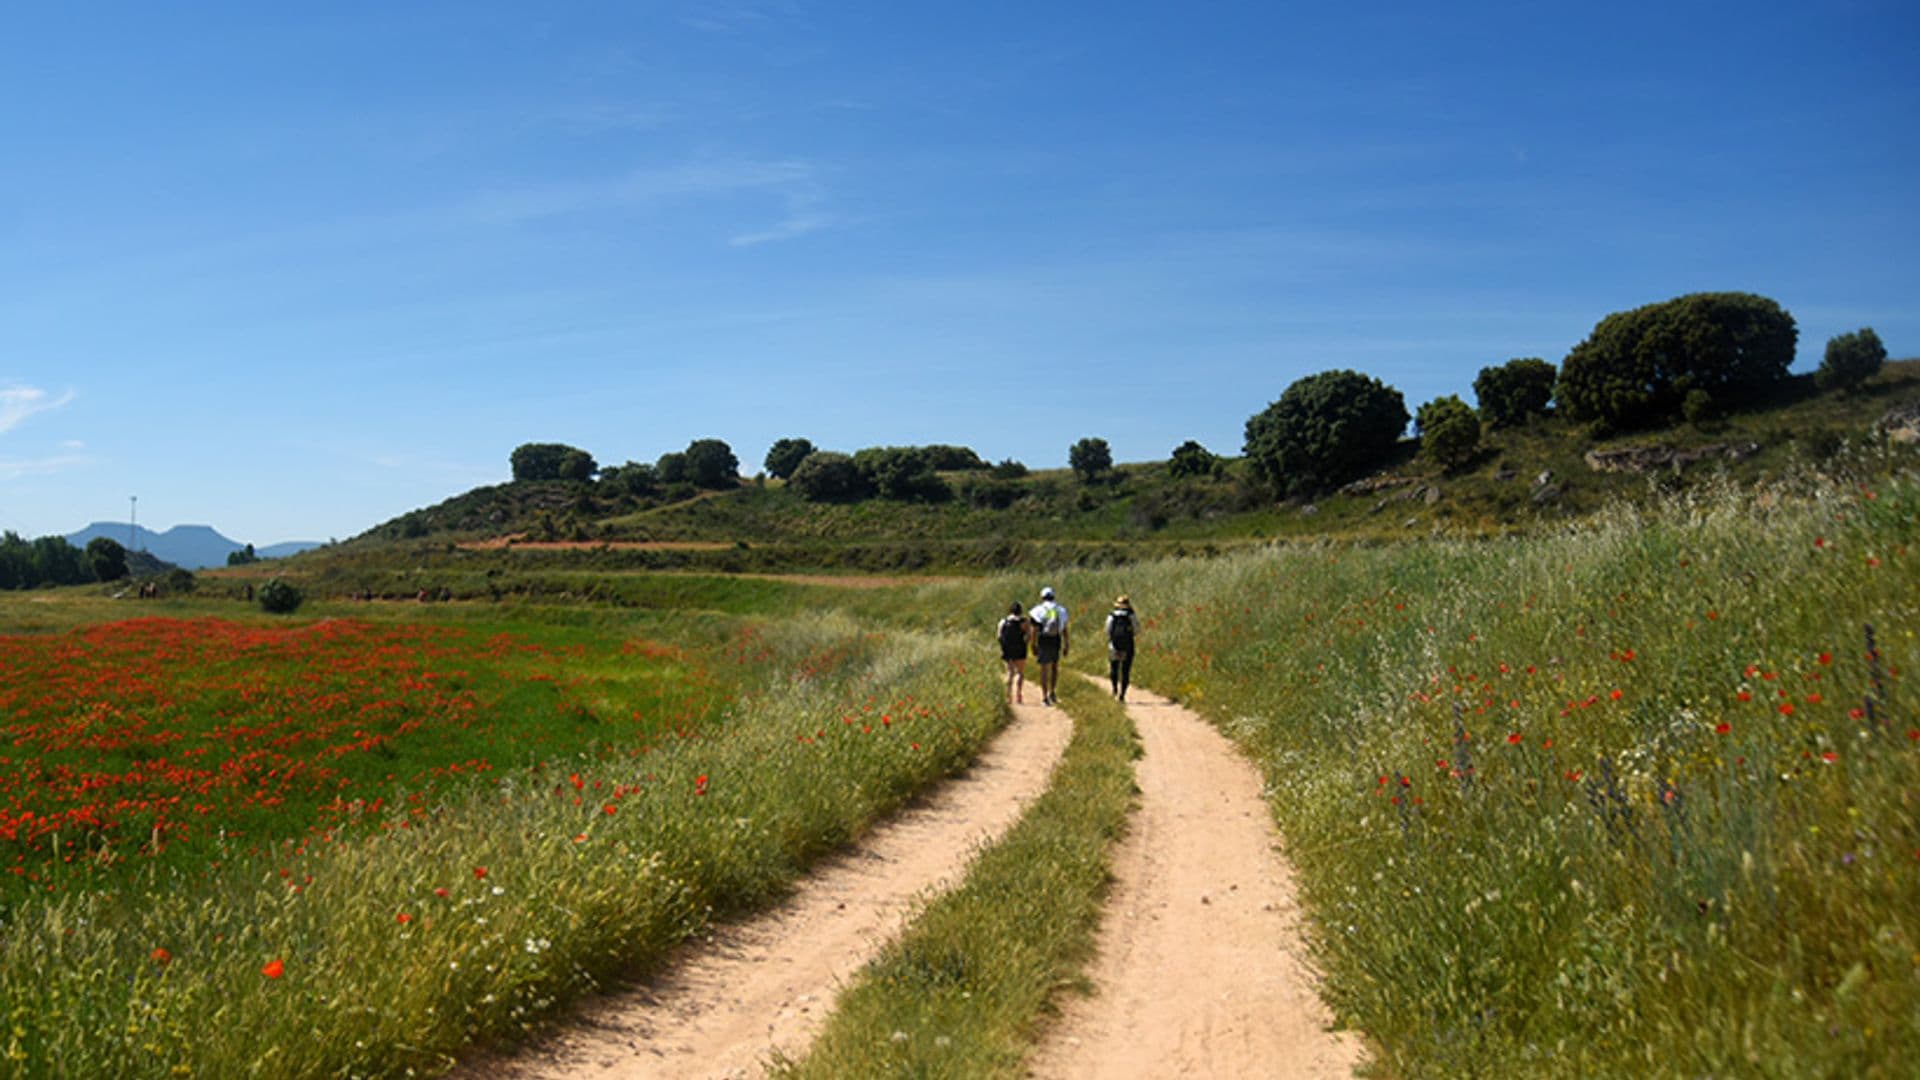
1689, 358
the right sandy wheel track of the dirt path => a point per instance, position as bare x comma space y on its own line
1199, 970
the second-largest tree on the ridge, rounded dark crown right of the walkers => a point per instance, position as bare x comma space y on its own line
1326, 430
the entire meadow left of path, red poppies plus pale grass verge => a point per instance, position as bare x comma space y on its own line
356, 848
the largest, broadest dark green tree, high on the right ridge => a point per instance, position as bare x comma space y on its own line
1639, 368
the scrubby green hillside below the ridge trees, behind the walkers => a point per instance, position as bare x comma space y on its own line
1520, 479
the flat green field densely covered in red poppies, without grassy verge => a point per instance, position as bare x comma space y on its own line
187, 741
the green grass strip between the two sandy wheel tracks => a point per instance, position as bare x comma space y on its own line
965, 991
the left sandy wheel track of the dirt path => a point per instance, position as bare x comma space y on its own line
763, 987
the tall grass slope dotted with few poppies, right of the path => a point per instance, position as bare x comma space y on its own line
1643, 797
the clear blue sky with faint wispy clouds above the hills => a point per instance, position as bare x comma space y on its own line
295, 274
